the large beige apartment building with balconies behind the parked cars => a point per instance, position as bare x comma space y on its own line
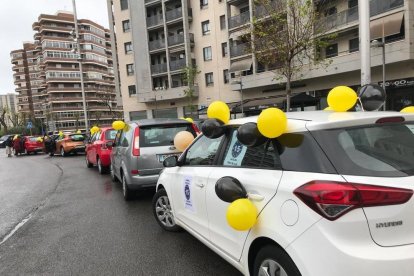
214, 35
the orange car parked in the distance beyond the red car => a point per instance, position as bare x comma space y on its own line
70, 144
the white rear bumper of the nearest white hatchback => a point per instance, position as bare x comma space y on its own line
325, 250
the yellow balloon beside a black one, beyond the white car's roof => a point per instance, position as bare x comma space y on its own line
342, 98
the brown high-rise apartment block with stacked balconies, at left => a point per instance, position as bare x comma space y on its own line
48, 77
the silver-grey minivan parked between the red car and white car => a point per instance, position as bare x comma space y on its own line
138, 153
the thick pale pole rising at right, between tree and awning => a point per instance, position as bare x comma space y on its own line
364, 41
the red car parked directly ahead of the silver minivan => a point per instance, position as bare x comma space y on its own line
98, 149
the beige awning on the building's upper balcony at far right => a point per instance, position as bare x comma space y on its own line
387, 25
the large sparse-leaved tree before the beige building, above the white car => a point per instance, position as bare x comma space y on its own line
286, 36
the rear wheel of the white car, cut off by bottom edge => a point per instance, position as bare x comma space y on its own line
271, 260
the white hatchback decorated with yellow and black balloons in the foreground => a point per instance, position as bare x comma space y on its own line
334, 195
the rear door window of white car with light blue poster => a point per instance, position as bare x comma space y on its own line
239, 155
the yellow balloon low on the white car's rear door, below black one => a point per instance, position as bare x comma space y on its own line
241, 214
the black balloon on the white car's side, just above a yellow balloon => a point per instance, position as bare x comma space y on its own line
229, 189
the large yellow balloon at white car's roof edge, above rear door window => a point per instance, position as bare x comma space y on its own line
272, 122
